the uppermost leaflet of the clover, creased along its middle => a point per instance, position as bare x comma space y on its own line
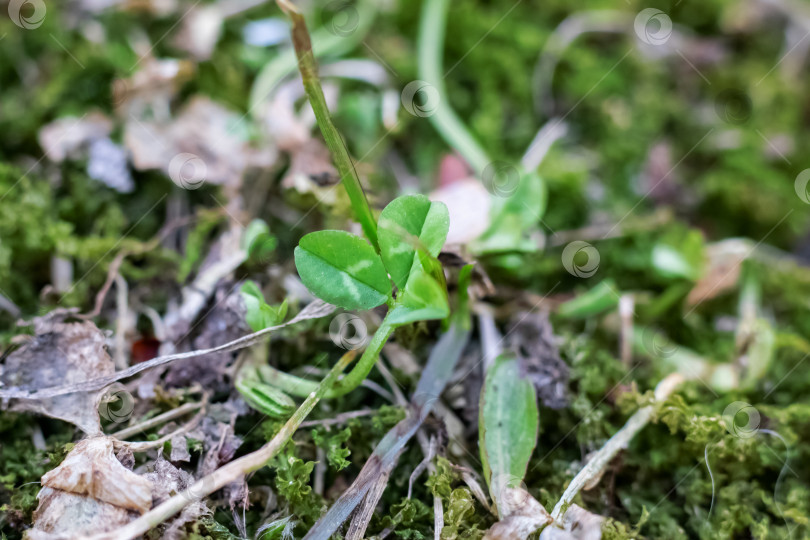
407, 223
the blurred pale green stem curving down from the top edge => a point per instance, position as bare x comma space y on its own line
431, 44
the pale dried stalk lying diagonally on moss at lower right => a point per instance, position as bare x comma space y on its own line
619, 441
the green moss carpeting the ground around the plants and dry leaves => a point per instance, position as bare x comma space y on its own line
615, 115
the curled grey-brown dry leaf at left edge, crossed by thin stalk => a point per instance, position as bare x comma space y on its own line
61, 353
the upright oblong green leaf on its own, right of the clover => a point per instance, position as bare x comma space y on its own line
508, 424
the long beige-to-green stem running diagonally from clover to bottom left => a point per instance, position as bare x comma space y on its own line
230, 472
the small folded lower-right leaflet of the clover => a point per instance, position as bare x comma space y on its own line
423, 299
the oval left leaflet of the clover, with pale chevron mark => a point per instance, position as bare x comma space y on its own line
342, 269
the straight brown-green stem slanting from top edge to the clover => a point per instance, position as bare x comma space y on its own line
337, 147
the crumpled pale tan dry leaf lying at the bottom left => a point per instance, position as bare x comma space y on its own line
92, 469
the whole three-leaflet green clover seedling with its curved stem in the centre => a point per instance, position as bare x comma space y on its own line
343, 269
